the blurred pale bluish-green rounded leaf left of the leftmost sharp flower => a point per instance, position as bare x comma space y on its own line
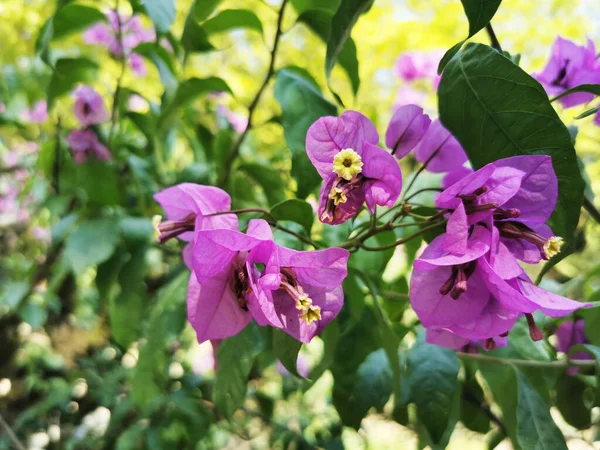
92, 243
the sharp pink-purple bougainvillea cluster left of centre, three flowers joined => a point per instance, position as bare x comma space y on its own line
238, 277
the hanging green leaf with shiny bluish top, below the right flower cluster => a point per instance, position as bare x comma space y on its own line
432, 375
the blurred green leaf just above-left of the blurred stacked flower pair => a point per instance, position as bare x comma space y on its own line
68, 72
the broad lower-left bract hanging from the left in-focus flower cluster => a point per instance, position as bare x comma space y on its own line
213, 310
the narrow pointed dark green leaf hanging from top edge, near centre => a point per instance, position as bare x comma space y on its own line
342, 22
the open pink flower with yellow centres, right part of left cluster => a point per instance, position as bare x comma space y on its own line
299, 292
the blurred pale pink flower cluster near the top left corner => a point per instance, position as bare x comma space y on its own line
120, 36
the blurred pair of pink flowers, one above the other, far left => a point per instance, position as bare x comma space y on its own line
90, 110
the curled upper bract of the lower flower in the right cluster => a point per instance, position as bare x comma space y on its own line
436, 254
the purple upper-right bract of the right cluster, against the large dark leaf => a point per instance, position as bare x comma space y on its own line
537, 196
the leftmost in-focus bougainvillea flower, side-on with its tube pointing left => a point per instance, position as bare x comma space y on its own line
188, 207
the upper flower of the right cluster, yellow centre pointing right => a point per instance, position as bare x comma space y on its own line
519, 194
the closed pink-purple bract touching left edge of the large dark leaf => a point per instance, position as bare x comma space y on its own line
440, 150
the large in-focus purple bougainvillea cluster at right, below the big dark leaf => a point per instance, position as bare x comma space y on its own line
467, 286
